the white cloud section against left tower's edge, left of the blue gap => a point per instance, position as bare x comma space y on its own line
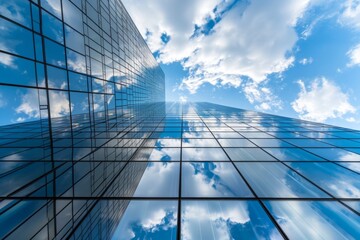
172, 17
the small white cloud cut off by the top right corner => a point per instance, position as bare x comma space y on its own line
351, 14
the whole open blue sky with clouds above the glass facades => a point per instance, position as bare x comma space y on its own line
293, 58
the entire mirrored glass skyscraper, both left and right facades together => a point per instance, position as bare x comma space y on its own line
90, 150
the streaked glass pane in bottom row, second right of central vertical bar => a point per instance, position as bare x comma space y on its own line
315, 220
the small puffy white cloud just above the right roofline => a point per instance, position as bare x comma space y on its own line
322, 100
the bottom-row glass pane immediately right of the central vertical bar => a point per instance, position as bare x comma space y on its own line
205, 220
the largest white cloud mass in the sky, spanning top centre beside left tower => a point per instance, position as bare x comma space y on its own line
221, 42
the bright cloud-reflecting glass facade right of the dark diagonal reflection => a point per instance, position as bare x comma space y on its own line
222, 172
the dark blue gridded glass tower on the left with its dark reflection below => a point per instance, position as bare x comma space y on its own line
77, 86
